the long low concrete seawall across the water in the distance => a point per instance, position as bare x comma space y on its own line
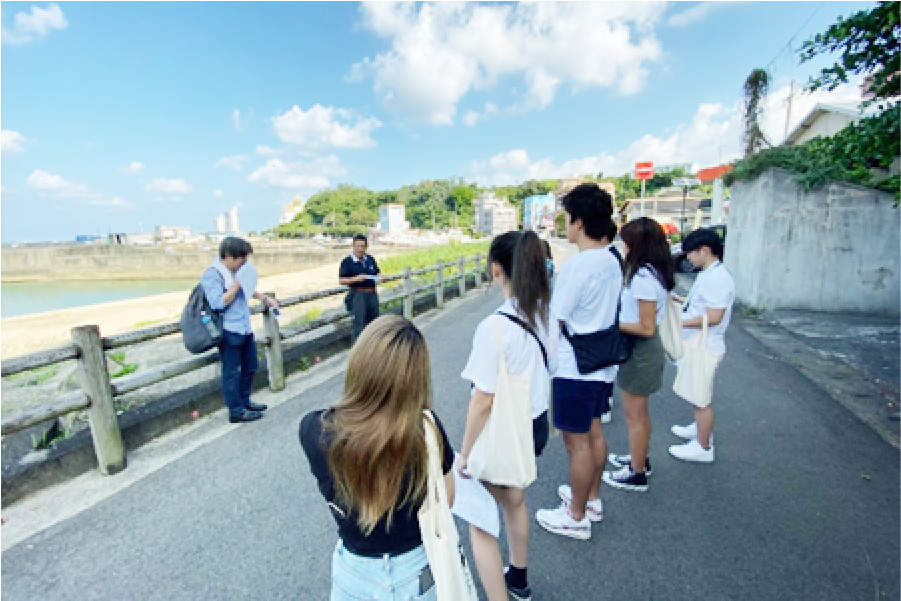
113, 262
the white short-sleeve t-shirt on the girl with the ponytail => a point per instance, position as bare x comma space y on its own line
521, 354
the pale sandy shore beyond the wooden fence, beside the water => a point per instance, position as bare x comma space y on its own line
28, 333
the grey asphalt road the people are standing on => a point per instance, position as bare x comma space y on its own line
802, 503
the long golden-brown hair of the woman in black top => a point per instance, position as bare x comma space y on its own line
378, 441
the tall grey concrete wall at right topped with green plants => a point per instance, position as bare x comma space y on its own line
832, 249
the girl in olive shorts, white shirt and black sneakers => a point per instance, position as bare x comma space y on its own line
648, 269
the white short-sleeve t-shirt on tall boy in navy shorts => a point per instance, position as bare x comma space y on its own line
585, 296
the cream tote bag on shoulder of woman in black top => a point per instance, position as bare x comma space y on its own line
453, 579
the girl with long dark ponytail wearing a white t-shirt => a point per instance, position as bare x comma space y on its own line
516, 263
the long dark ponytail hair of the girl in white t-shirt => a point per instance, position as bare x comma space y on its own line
522, 260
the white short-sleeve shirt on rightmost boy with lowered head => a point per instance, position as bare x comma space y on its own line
713, 288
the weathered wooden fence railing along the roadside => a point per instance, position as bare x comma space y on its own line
97, 391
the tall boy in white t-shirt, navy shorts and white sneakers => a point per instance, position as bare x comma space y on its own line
584, 301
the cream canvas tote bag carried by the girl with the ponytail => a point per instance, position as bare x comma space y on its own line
504, 452
